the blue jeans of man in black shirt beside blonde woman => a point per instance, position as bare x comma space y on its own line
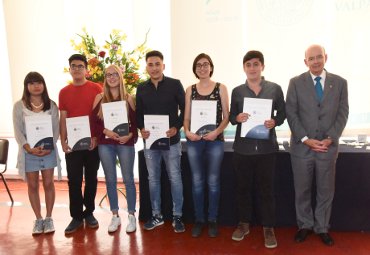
172, 160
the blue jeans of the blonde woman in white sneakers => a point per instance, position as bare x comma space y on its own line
126, 155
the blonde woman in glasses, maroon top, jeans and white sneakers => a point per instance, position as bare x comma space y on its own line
111, 146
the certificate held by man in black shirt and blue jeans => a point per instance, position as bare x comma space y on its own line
157, 125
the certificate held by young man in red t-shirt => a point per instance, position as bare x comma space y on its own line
78, 133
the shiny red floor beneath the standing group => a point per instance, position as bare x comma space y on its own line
16, 225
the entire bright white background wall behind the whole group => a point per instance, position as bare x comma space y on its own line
35, 35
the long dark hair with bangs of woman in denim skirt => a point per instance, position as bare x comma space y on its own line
35, 77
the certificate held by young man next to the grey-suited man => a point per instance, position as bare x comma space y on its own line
259, 110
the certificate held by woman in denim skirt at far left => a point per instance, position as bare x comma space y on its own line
39, 131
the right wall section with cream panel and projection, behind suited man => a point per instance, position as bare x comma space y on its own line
282, 30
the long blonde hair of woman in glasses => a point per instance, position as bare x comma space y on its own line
107, 95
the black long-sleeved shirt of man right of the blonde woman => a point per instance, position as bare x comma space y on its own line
167, 99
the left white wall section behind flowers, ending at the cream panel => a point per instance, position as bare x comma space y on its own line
38, 35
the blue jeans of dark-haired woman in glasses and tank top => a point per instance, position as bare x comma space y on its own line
205, 158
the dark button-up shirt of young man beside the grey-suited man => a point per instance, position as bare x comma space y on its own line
269, 90
